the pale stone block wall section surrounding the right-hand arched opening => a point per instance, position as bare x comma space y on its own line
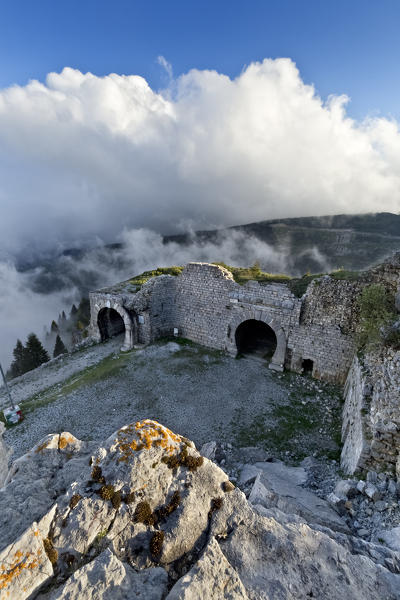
210, 305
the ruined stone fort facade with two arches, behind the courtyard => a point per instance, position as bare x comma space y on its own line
314, 333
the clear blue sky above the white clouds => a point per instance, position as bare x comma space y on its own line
345, 46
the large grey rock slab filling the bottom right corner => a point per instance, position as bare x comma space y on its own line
292, 560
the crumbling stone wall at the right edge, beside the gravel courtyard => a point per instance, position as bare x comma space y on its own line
371, 414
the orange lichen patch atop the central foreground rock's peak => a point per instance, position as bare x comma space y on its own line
144, 435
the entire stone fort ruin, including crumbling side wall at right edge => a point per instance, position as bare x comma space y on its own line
314, 333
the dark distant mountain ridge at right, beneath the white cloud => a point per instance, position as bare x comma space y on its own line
349, 241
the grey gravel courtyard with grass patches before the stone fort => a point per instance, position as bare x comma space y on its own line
202, 394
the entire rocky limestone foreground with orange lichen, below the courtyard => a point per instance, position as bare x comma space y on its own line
144, 515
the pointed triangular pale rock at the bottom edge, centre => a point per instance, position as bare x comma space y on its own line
211, 577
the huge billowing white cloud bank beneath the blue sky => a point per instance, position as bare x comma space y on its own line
82, 155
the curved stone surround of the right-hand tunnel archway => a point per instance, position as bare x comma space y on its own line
278, 359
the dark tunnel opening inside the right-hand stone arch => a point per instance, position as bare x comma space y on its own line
257, 338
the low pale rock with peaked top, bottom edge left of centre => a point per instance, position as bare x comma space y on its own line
107, 577
